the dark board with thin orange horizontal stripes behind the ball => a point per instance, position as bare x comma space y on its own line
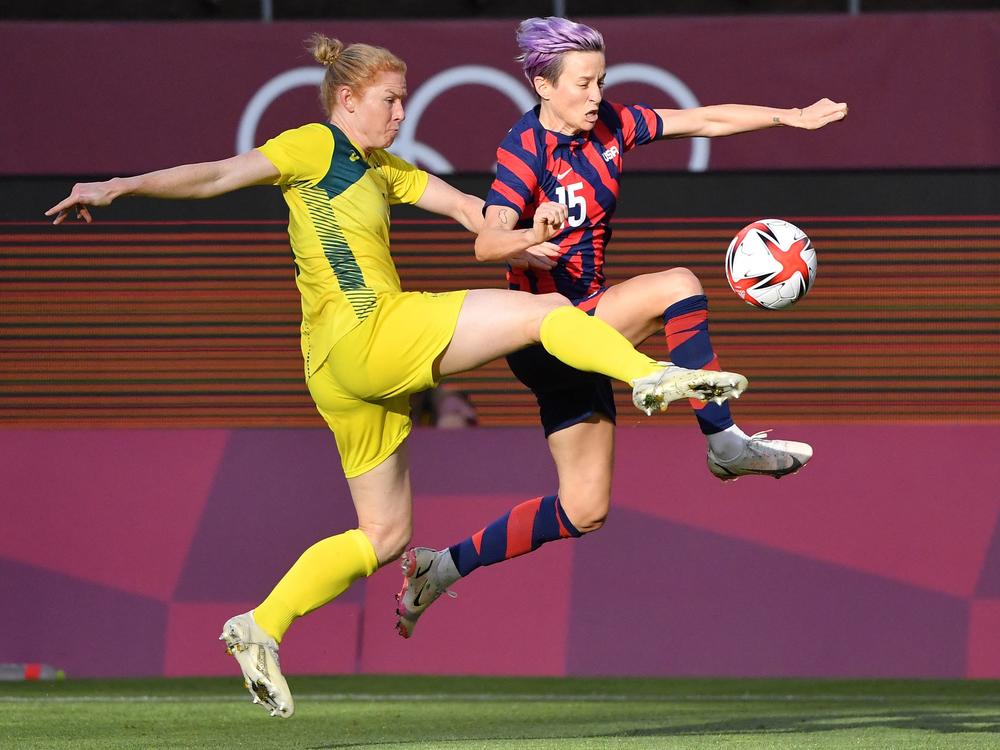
178, 324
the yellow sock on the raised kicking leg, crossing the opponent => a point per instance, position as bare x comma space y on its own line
588, 343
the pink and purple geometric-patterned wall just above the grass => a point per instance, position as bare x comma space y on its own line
124, 552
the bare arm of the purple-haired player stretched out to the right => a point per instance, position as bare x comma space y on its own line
729, 119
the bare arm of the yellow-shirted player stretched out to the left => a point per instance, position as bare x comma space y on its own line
204, 180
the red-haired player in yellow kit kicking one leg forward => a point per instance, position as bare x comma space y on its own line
367, 344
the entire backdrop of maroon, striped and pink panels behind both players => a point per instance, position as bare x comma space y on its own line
161, 464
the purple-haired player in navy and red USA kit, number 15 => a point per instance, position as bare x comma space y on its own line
569, 149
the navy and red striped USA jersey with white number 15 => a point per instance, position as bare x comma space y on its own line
535, 165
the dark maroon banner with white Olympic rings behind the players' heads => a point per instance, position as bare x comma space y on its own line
130, 97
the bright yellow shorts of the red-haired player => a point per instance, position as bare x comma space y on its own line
363, 387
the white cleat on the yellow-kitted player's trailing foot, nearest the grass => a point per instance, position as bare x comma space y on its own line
257, 654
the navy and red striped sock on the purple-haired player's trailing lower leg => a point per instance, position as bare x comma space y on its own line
525, 528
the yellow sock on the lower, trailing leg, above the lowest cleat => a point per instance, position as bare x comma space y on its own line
323, 572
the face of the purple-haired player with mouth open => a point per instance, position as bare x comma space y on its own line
571, 102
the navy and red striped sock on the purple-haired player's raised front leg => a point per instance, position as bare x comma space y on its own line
686, 326
